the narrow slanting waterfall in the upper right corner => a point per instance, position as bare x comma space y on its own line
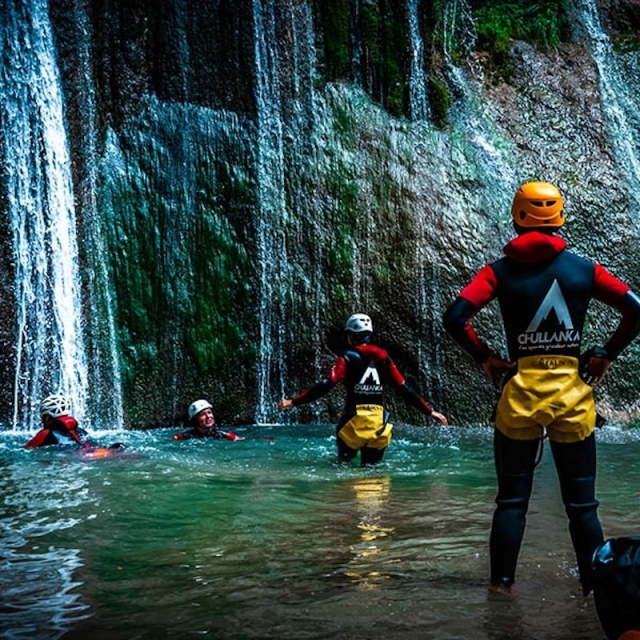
620, 108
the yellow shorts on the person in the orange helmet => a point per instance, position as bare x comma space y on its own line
546, 393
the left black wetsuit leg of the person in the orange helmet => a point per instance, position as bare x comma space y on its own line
515, 463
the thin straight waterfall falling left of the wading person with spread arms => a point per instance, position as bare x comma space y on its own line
271, 209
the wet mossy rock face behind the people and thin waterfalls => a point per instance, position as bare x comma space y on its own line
374, 212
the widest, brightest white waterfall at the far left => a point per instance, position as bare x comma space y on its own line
50, 355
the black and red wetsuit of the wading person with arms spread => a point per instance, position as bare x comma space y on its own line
367, 371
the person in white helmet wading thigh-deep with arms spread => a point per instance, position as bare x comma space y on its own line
367, 371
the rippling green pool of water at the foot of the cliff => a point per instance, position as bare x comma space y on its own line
270, 538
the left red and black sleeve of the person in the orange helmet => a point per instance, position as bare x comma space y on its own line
458, 317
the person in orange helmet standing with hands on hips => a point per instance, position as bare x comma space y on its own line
546, 386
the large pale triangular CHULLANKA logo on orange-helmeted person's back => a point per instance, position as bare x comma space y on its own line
534, 339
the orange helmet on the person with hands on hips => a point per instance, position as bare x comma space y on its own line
538, 205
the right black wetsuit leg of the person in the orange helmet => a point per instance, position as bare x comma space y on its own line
576, 466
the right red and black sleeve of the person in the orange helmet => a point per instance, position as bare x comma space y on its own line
617, 294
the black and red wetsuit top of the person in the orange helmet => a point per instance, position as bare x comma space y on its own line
543, 291
